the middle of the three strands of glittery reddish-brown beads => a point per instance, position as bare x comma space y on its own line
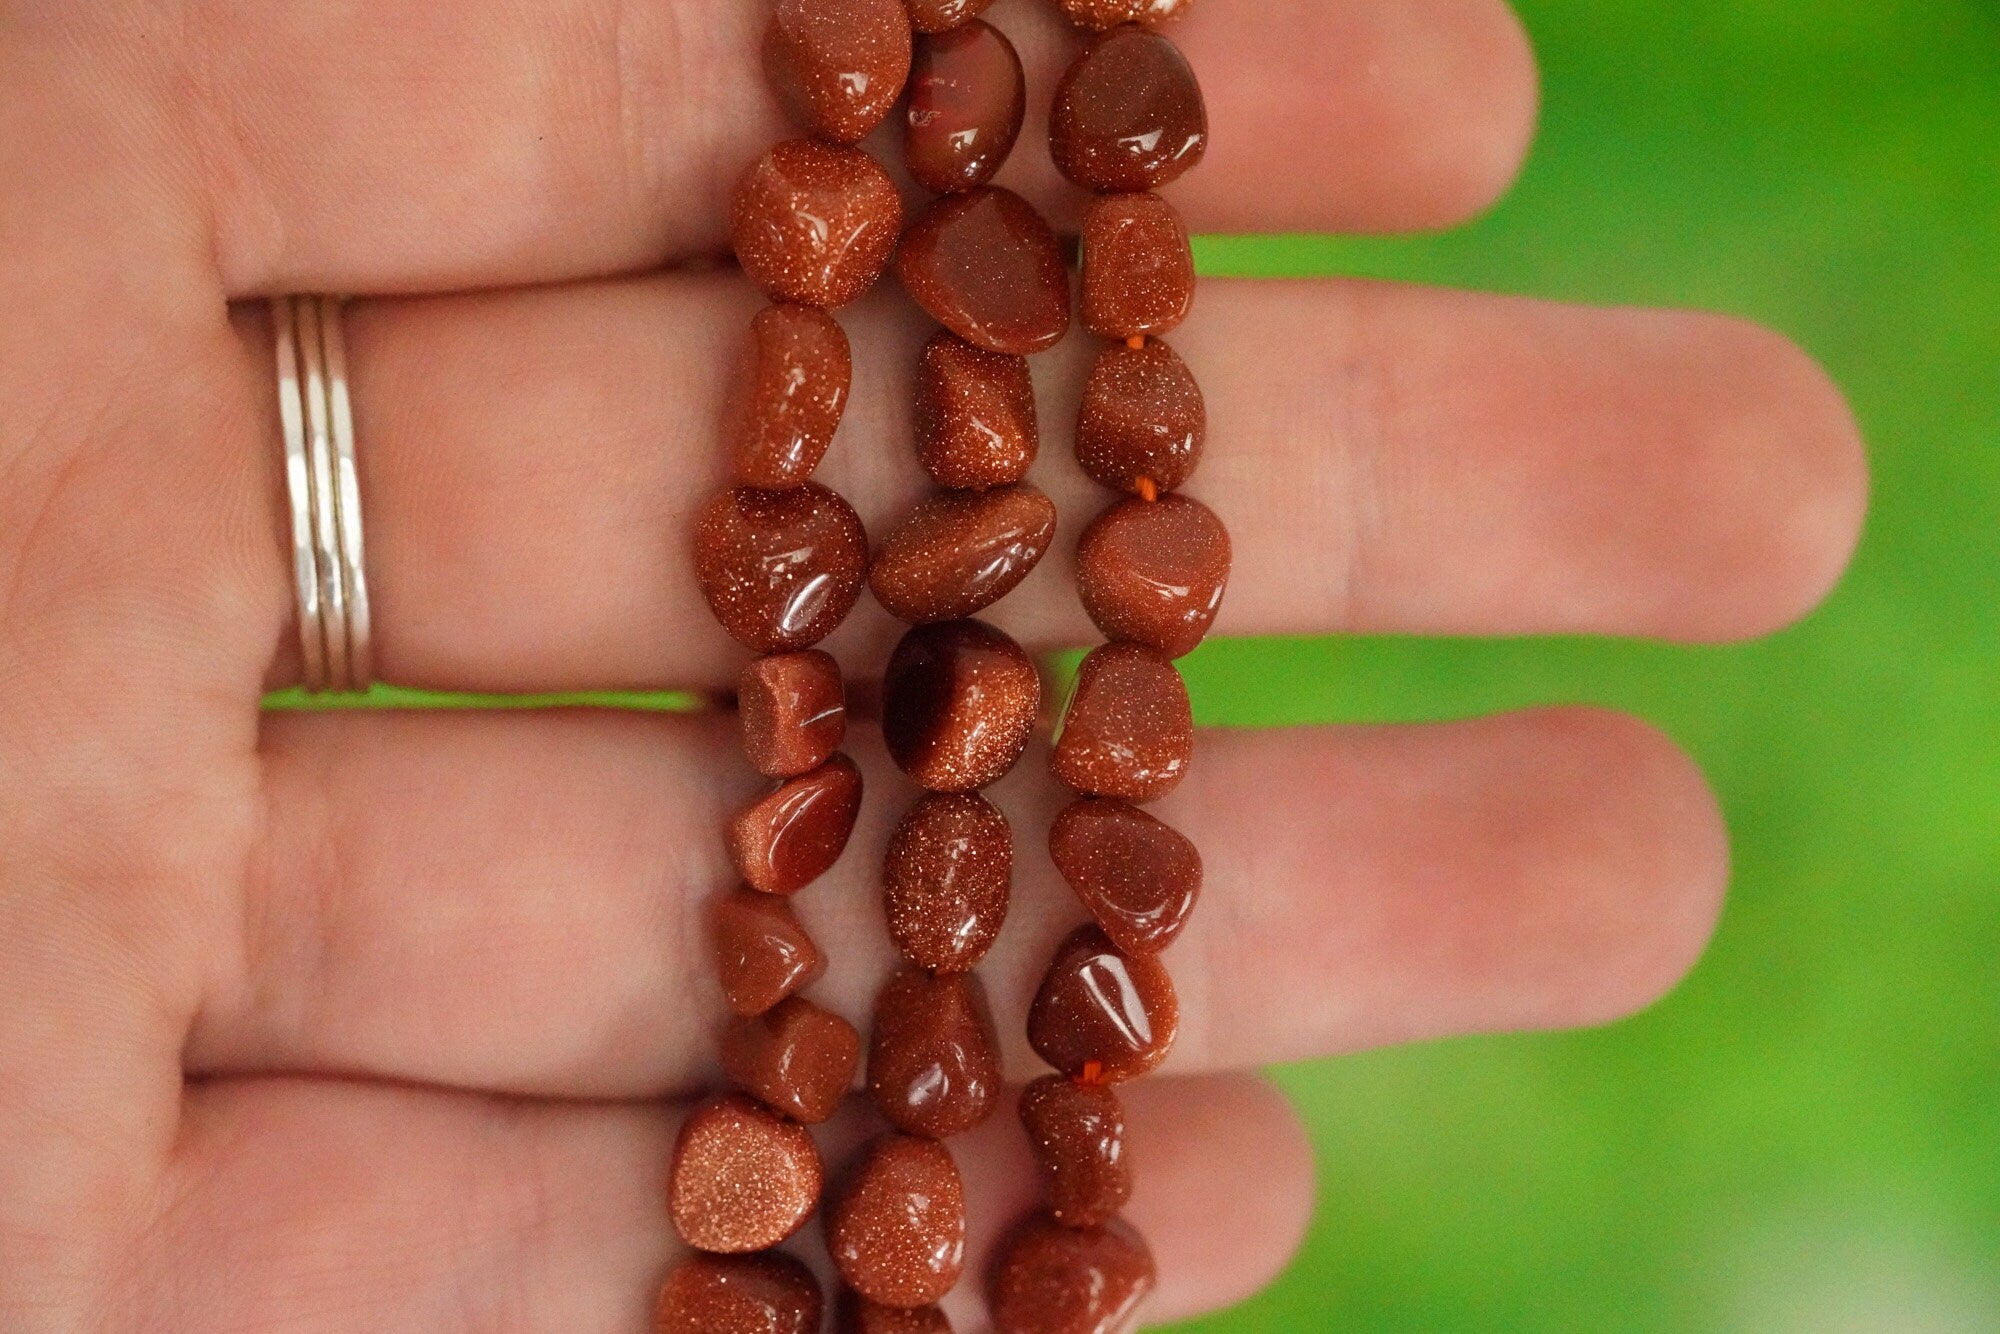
959, 697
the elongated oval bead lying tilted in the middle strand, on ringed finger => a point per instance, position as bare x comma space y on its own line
961, 553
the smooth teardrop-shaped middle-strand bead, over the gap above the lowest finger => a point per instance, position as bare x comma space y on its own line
933, 1059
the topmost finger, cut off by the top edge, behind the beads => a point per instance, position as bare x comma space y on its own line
389, 147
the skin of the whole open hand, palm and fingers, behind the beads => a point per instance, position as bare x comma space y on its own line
377, 1023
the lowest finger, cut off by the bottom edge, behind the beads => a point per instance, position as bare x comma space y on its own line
349, 1207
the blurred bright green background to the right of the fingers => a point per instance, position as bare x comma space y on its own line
1807, 1137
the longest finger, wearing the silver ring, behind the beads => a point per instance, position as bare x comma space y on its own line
1387, 459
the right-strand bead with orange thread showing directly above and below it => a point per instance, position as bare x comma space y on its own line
1143, 417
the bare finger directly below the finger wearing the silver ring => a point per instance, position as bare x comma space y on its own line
517, 903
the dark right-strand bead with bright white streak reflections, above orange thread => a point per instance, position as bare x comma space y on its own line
1103, 1015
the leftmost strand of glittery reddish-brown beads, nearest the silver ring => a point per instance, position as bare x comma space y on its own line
781, 561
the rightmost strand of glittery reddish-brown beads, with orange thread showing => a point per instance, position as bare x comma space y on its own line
1151, 573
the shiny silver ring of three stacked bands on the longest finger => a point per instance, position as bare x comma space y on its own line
325, 491
